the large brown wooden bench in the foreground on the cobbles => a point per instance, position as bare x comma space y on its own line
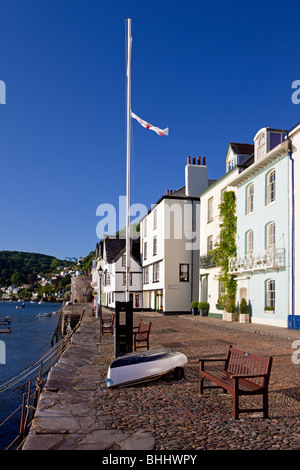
243, 374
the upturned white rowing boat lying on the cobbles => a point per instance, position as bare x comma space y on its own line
143, 366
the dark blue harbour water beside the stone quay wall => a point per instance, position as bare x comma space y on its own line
29, 339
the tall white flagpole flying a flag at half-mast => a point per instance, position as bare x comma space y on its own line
129, 44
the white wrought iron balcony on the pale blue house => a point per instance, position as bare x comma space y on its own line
272, 258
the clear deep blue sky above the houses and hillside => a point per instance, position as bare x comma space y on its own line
213, 72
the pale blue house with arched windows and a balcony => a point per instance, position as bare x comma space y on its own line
262, 265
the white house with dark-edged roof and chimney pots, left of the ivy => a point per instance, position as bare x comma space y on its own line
169, 236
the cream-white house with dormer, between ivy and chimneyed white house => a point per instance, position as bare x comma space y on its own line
238, 157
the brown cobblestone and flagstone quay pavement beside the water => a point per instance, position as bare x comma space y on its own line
77, 411
